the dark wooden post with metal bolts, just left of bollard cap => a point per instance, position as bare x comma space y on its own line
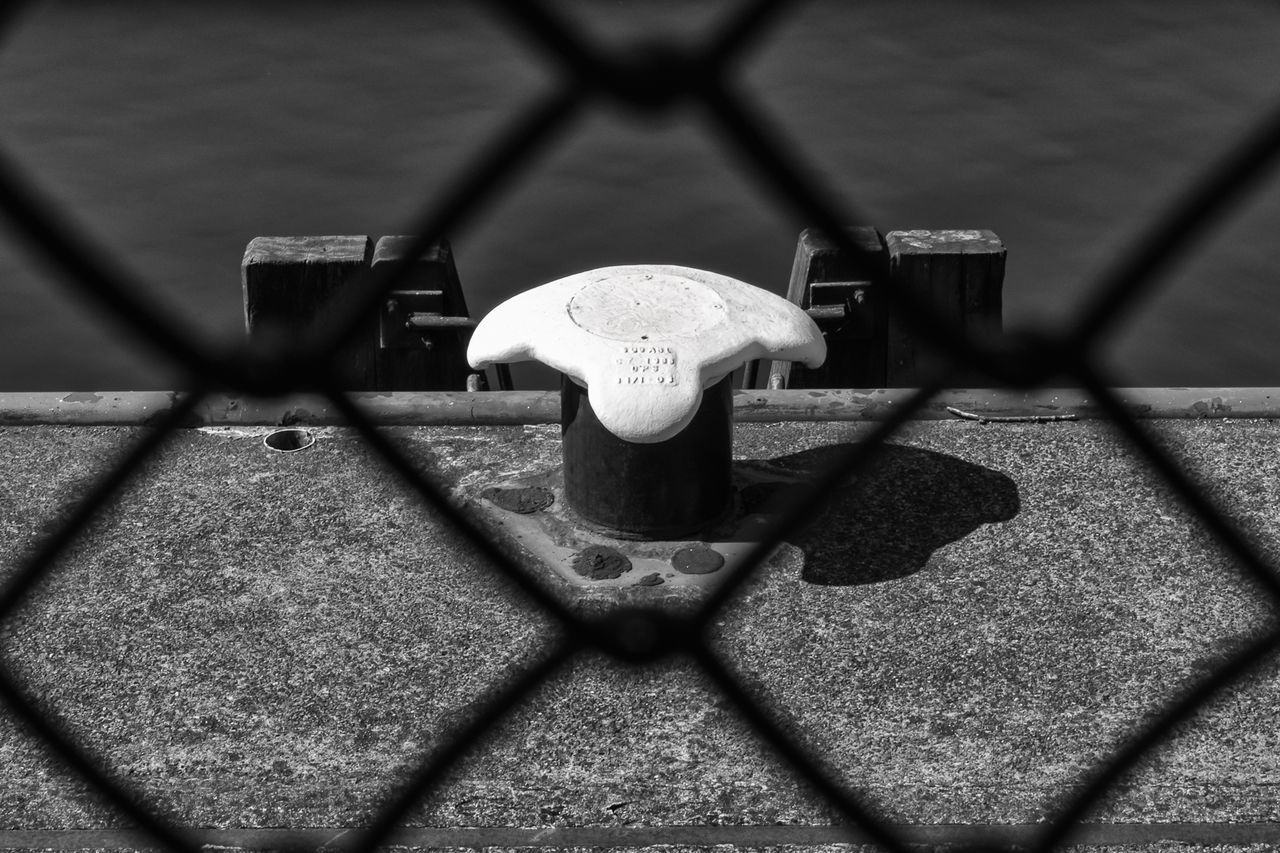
428, 358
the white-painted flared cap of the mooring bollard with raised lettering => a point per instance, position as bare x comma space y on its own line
646, 341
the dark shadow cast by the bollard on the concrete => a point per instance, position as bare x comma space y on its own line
889, 522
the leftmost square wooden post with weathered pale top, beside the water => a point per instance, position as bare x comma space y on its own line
289, 281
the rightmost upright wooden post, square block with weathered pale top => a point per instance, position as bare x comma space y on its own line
961, 275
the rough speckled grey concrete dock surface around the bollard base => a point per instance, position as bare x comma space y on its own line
257, 641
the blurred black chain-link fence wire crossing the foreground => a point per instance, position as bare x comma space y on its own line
648, 83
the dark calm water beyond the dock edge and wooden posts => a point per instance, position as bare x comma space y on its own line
177, 133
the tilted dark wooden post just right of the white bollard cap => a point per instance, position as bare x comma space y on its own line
839, 295
